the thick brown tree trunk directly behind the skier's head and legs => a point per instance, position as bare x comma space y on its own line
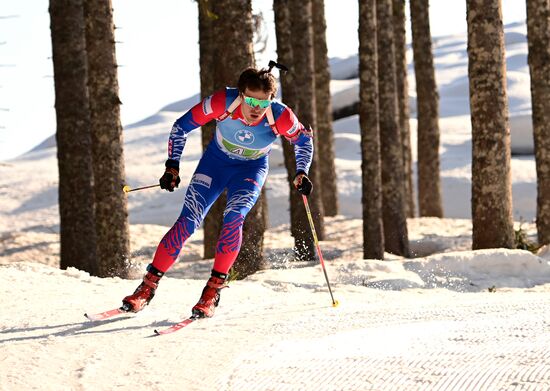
225, 59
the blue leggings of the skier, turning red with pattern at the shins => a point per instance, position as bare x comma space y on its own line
243, 180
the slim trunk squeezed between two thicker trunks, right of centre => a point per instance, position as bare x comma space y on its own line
399, 22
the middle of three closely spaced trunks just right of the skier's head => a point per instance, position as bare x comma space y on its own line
303, 67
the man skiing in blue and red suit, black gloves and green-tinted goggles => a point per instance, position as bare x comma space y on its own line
248, 122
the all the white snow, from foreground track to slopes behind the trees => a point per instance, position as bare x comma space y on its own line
447, 319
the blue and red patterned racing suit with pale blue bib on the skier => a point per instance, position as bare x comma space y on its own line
237, 160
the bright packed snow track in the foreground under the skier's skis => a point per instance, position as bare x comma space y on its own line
276, 330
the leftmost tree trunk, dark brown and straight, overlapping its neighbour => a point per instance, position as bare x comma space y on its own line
74, 140
